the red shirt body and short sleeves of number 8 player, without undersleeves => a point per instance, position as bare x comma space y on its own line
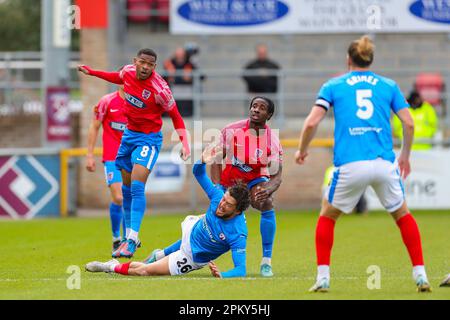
146, 100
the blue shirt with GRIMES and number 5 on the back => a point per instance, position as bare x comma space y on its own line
362, 103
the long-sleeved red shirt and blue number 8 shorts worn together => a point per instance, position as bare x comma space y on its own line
146, 101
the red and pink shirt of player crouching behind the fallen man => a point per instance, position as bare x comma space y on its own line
248, 155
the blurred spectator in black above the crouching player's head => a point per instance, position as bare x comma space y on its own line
264, 82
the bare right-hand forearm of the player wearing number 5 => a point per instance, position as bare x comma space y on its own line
408, 137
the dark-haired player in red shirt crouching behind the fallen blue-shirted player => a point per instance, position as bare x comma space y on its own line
253, 155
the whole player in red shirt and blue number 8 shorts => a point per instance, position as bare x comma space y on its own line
147, 97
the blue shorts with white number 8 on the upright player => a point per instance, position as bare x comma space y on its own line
138, 148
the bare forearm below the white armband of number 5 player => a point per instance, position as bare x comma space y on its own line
308, 132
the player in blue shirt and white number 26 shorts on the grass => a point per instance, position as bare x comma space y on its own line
204, 238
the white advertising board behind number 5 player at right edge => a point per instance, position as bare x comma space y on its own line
428, 184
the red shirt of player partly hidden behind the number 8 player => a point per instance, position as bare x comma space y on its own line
110, 111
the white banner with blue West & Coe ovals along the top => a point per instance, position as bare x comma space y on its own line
308, 16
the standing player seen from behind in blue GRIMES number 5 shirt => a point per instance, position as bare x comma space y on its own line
363, 156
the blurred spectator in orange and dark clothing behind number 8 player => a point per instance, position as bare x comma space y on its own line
179, 76
